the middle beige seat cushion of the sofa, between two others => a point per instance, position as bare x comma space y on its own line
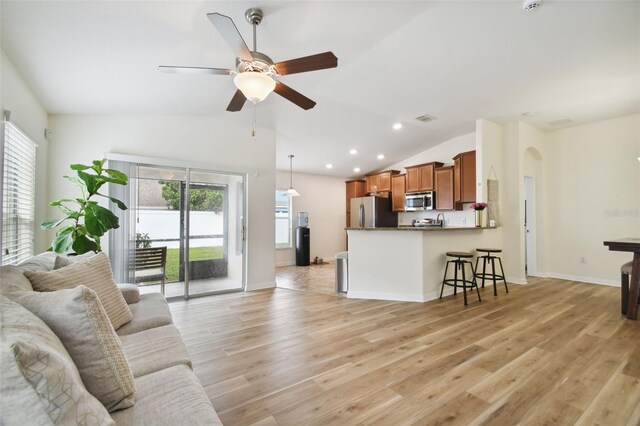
155, 349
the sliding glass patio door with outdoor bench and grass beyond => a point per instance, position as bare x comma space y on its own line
184, 235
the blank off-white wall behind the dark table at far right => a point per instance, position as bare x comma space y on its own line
593, 195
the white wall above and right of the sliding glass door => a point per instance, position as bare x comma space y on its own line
208, 141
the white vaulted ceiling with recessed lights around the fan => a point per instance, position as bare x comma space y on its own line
457, 61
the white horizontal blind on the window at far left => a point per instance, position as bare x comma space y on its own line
18, 195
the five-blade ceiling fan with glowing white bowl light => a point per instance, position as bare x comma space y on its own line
254, 70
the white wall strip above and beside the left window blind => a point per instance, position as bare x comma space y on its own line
31, 117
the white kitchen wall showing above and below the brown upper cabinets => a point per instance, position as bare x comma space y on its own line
444, 153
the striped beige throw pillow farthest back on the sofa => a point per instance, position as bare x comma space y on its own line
94, 273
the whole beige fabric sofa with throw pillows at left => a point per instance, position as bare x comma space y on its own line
53, 343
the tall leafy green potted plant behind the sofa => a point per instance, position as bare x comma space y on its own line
88, 220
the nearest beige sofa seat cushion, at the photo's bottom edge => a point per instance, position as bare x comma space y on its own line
170, 397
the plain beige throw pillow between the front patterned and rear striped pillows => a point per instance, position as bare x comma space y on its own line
78, 319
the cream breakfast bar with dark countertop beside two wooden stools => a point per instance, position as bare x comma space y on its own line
407, 263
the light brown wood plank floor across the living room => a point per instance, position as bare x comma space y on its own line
553, 352
